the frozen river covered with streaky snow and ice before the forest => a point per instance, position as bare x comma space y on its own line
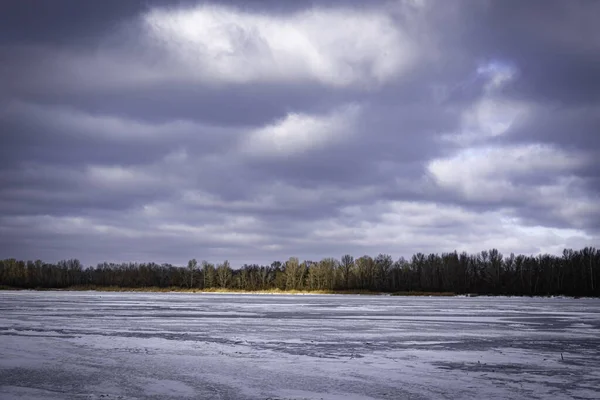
90, 345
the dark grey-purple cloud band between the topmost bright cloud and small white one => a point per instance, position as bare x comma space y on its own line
209, 105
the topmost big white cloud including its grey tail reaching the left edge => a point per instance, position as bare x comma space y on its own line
210, 44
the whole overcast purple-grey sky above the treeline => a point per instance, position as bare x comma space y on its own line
146, 130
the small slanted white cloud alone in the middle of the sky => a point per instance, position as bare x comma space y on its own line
298, 133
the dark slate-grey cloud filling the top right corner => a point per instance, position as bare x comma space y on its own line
555, 43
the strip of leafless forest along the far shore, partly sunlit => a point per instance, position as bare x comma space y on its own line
574, 273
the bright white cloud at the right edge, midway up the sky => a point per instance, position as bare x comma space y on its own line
539, 182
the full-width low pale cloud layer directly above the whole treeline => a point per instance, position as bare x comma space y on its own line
158, 231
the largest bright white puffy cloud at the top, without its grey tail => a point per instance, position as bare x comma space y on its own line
336, 47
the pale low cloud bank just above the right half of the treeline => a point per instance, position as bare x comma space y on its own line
402, 227
